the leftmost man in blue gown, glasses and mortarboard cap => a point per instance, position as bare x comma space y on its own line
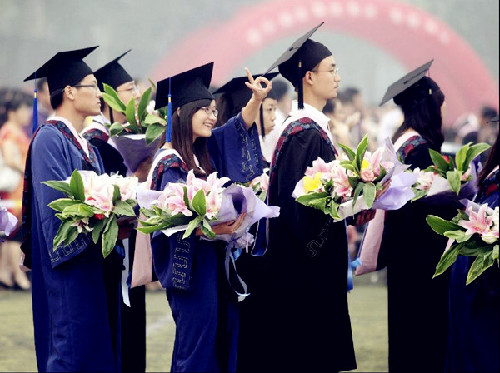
70, 317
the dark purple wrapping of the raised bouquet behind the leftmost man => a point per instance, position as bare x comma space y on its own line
134, 150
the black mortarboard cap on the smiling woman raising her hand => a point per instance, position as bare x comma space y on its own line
185, 87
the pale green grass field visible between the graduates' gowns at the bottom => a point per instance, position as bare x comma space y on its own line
367, 305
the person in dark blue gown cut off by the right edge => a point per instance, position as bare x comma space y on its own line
474, 336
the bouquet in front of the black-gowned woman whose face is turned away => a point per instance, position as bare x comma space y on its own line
448, 174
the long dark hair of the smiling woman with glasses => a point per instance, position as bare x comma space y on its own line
182, 139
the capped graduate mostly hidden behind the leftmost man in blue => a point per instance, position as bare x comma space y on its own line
130, 328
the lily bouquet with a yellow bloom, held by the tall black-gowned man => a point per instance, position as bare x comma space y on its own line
347, 185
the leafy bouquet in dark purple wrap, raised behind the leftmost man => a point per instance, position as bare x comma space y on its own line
139, 137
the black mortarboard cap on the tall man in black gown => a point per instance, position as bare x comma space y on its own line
302, 56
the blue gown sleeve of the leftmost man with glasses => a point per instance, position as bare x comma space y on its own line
48, 151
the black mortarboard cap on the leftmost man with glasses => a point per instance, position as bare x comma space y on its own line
65, 68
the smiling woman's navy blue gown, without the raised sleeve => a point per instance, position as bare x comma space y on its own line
203, 309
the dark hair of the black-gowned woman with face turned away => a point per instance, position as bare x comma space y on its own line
421, 105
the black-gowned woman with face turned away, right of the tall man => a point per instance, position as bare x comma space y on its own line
417, 304
